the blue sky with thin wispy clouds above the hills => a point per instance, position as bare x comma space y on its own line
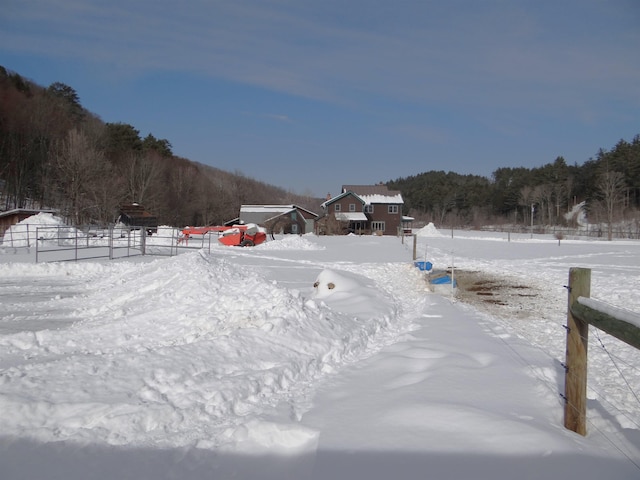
309, 95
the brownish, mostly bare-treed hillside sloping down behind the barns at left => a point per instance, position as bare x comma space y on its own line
56, 154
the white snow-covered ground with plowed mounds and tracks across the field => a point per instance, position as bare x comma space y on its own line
312, 358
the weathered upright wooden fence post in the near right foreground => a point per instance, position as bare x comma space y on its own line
575, 387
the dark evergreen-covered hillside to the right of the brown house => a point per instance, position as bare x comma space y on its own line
609, 183
